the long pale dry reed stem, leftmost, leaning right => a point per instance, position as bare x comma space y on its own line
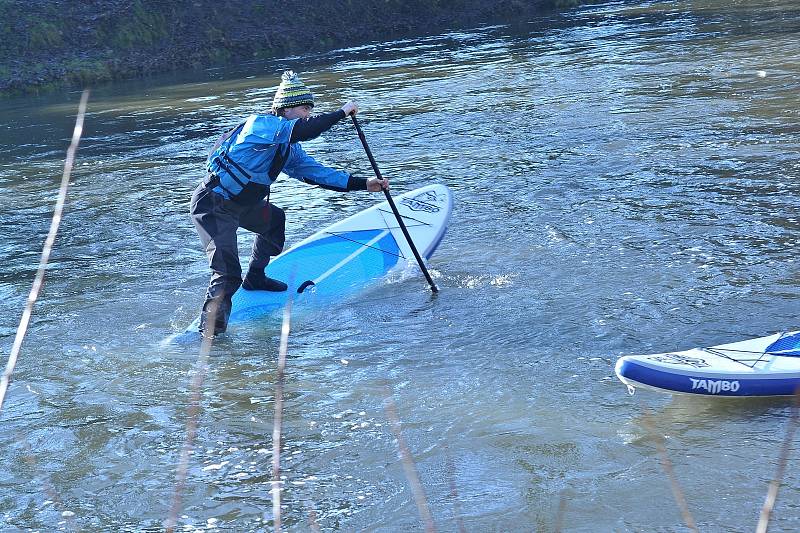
38, 281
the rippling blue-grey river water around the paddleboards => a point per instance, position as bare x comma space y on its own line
625, 180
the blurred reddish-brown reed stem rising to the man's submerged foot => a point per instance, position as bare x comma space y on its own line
193, 413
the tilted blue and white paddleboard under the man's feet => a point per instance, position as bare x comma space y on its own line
348, 256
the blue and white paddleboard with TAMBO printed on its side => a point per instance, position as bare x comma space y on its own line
766, 366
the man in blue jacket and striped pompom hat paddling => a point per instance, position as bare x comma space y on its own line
242, 166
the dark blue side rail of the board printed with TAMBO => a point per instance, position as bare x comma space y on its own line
702, 385
